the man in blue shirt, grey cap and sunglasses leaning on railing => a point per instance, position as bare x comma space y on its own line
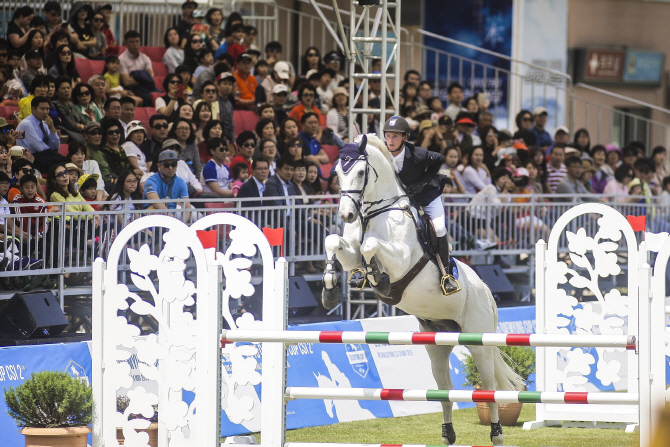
165, 184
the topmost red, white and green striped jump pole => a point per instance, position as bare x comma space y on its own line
431, 338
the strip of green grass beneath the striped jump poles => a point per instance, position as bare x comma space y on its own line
426, 429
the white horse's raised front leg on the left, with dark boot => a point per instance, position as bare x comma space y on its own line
348, 255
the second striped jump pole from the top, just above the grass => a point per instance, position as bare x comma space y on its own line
501, 397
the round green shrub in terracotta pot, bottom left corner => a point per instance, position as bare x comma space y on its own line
53, 408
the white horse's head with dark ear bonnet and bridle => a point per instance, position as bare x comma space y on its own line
353, 171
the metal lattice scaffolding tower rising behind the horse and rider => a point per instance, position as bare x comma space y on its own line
365, 25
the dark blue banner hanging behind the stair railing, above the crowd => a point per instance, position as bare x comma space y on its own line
483, 23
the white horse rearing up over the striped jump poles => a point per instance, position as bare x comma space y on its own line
380, 235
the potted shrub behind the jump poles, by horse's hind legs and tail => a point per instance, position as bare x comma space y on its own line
522, 361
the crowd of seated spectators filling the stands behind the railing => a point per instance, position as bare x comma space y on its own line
74, 137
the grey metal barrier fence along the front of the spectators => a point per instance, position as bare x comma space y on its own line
508, 228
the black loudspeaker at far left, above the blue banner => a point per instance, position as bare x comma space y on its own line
34, 314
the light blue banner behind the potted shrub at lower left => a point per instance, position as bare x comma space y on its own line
17, 363
